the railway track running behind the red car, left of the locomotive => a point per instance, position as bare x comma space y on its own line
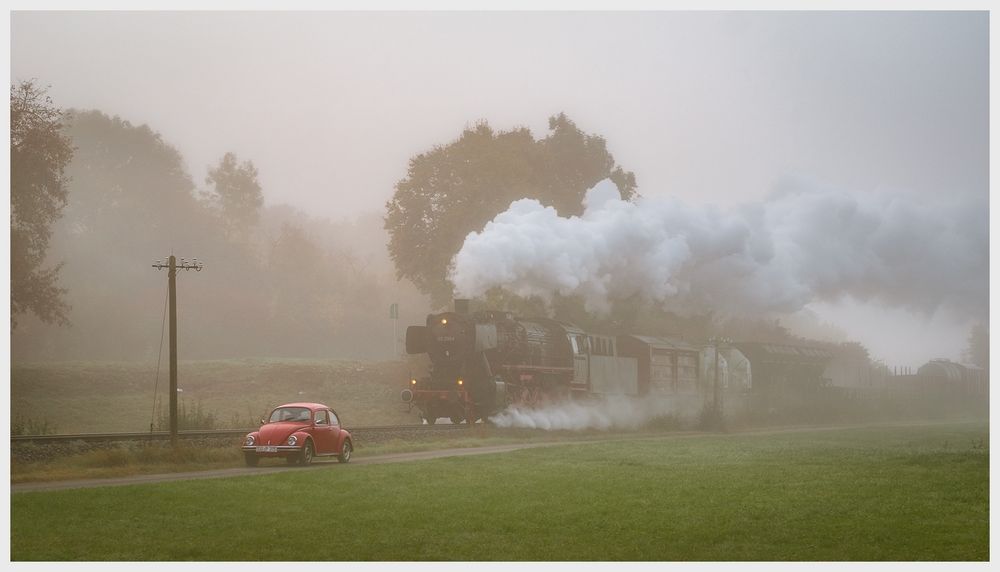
357, 432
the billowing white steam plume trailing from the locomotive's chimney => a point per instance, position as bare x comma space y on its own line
803, 243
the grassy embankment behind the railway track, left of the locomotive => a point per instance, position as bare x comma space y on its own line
97, 397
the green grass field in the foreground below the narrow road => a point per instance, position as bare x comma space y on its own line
894, 493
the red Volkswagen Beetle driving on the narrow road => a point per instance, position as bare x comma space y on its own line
299, 432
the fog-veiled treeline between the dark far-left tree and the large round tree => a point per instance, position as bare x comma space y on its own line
276, 282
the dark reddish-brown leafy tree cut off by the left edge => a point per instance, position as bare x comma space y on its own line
39, 153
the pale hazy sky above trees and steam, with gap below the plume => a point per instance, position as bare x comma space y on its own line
710, 107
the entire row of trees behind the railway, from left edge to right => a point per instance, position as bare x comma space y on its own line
277, 281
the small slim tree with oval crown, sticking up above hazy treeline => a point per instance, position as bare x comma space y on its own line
236, 192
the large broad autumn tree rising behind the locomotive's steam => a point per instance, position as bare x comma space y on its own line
457, 188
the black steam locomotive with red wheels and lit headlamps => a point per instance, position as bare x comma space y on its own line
486, 361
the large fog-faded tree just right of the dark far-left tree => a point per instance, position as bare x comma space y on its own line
132, 202
